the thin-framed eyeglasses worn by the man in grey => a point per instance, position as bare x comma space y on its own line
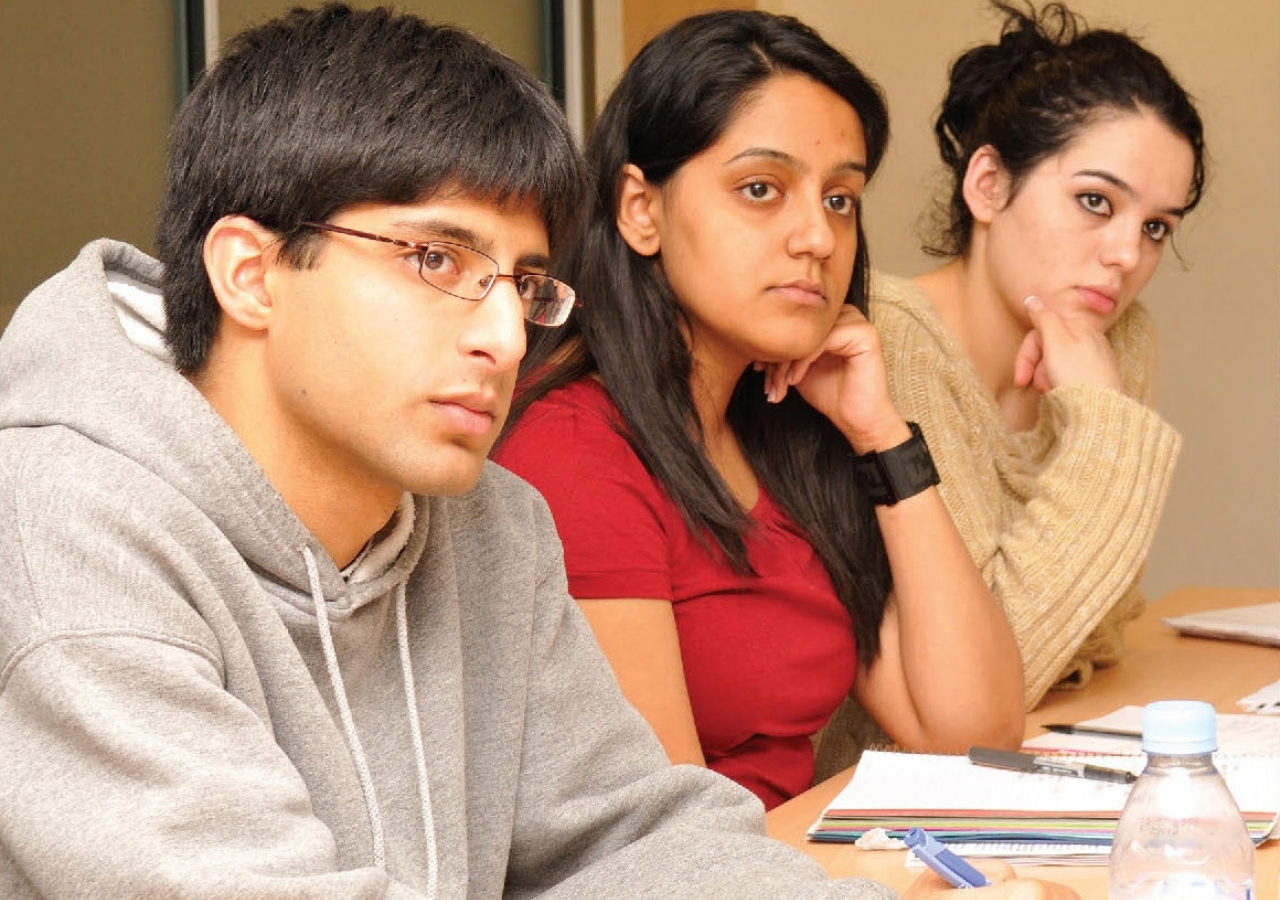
464, 272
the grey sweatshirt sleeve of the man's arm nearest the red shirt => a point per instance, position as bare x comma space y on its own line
601, 812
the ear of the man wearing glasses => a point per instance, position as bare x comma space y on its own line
239, 253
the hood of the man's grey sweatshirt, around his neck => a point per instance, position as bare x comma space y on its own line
85, 351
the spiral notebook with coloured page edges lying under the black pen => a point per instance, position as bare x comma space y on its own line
1023, 814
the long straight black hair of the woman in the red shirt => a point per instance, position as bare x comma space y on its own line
674, 102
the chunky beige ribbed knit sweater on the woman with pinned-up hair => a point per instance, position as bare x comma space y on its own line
1059, 518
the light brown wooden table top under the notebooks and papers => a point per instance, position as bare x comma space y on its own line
1159, 665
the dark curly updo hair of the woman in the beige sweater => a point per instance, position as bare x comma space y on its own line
1035, 92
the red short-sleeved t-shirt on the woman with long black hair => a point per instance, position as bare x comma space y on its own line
769, 657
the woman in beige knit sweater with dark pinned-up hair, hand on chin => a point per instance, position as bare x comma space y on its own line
1027, 358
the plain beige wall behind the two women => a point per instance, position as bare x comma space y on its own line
1219, 314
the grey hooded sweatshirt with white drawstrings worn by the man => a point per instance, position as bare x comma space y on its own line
195, 702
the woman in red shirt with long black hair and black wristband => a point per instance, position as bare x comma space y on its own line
748, 561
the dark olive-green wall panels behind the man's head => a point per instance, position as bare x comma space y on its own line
89, 94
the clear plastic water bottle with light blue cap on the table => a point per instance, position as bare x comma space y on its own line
1181, 834
